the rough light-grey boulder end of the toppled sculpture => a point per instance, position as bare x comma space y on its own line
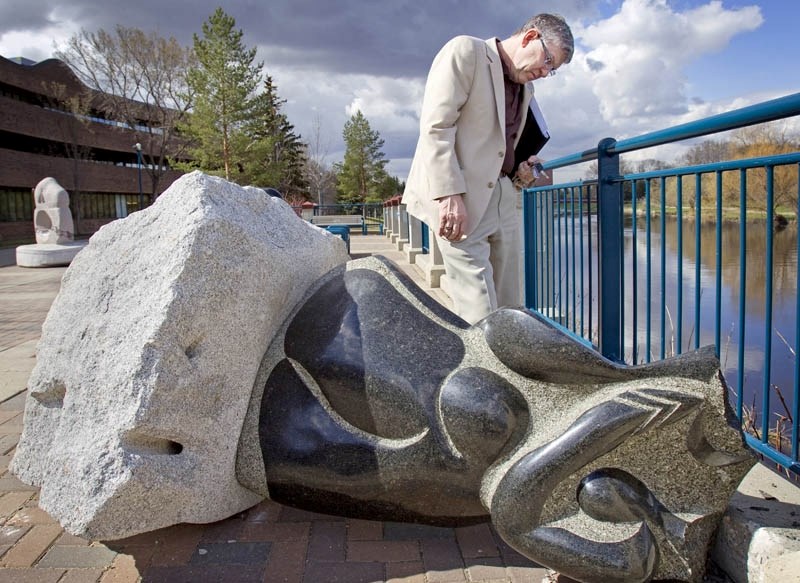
148, 356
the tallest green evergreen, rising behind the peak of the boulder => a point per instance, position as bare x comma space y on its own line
223, 82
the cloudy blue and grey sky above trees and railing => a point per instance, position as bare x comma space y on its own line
639, 65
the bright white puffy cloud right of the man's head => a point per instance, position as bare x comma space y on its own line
636, 59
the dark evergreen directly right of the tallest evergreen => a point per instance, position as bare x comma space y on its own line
274, 154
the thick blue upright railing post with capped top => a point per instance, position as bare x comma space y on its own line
610, 251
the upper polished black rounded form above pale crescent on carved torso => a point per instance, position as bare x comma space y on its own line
363, 343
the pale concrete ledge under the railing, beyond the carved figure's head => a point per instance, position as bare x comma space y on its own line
758, 540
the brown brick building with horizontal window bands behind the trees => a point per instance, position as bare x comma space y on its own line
89, 153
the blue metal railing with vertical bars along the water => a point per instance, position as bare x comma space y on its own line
590, 292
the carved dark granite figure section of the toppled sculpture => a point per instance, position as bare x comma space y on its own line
373, 401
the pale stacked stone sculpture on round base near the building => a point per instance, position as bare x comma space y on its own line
54, 228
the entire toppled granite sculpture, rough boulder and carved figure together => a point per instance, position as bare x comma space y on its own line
341, 387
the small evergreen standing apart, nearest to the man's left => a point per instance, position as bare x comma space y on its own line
362, 172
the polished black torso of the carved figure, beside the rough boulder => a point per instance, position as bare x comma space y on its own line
368, 414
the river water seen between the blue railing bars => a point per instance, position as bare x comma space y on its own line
676, 324
